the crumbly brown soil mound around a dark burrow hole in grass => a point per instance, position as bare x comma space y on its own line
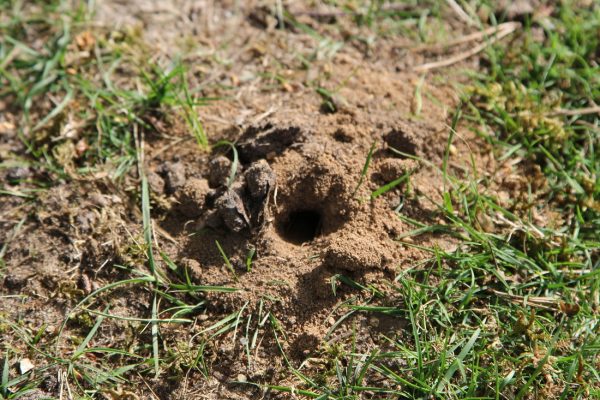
293, 210
